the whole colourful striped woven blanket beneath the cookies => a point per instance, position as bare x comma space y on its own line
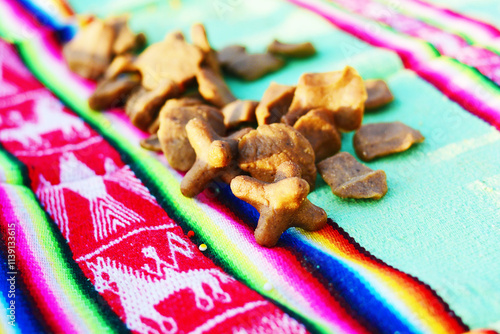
97, 238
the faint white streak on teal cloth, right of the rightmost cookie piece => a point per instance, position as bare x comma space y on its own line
450, 151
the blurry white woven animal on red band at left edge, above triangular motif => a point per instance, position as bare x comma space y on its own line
50, 117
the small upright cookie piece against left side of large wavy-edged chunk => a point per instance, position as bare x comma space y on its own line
275, 103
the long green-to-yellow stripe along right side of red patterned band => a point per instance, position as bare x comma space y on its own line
162, 184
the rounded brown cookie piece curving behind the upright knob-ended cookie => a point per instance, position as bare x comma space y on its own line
172, 131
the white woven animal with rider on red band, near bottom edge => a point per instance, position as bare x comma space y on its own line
141, 290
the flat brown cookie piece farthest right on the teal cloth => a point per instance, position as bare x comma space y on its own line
380, 139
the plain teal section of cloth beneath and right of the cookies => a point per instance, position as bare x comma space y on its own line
440, 220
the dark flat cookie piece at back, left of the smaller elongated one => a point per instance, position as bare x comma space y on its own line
238, 62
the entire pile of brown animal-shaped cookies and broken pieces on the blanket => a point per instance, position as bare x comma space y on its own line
268, 151
